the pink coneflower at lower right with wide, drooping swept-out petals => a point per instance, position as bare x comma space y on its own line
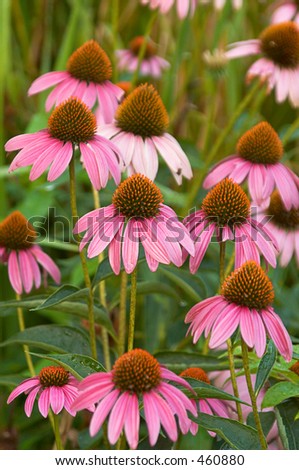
245, 302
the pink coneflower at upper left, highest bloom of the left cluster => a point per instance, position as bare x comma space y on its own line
87, 77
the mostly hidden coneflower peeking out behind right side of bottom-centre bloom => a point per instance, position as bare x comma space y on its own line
211, 406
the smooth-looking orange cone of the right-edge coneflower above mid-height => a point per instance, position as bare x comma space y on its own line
260, 144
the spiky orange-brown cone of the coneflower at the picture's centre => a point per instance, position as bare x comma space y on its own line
138, 197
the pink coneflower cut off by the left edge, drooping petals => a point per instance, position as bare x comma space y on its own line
22, 255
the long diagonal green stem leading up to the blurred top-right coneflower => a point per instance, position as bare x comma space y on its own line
219, 142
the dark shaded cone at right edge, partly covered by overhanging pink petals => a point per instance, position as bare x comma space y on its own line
288, 220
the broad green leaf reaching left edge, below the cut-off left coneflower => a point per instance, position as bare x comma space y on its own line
54, 338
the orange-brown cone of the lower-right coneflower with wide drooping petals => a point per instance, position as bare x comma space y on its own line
248, 286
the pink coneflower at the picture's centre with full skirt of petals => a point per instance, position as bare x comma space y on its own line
136, 210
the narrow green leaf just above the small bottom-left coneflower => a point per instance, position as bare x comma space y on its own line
79, 365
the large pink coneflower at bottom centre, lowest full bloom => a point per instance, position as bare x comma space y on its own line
136, 377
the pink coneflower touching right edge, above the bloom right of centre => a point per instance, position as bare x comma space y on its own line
257, 161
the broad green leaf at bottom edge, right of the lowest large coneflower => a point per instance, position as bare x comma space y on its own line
237, 435
